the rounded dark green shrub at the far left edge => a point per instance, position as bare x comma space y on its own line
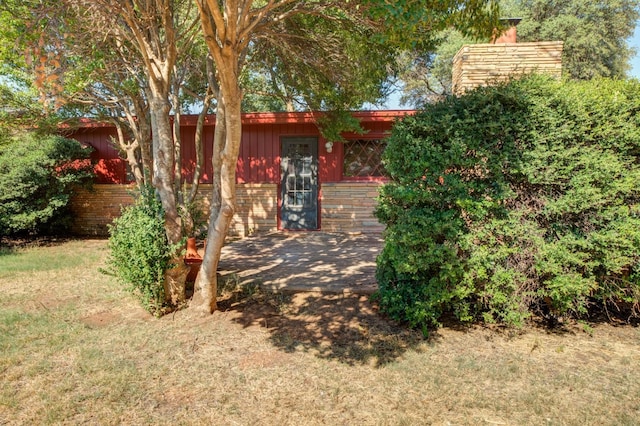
37, 176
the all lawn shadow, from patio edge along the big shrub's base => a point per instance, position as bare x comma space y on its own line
349, 328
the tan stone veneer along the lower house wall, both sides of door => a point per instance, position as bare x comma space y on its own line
346, 207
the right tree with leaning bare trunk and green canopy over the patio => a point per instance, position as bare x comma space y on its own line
318, 47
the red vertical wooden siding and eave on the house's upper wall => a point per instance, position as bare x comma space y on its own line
259, 158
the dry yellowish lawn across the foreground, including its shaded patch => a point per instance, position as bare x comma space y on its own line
76, 349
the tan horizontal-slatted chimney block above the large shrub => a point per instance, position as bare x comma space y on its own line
484, 64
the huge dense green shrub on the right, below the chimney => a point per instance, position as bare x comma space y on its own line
511, 198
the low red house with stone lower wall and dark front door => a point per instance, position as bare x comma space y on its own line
288, 176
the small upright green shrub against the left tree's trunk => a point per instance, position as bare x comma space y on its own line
140, 252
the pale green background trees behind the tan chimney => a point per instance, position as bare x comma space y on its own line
594, 33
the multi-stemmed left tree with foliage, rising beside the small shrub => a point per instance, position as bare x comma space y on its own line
156, 58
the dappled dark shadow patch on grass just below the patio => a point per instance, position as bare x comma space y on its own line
346, 328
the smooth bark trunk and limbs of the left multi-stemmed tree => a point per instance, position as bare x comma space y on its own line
153, 33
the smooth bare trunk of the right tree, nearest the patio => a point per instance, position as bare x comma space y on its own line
227, 29
